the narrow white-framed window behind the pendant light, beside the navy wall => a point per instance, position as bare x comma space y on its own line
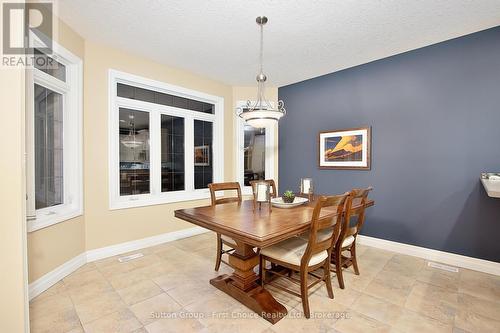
254, 152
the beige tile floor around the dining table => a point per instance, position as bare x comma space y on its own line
167, 290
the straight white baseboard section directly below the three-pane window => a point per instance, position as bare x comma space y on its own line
113, 250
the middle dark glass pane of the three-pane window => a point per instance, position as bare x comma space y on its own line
172, 153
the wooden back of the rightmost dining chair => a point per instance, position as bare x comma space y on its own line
348, 227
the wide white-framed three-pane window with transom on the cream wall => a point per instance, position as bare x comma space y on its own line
166, 142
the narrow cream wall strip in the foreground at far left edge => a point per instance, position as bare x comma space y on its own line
12, 203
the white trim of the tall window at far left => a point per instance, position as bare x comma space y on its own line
72, 140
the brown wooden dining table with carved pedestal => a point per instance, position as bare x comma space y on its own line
252, 228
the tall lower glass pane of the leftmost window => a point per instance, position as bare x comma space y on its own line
48, 147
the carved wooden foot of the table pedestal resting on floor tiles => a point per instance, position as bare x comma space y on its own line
256, 298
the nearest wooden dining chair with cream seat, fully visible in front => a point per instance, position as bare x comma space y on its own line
306, 256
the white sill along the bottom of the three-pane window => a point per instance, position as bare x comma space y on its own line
145, 200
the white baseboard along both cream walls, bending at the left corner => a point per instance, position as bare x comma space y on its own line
48, 280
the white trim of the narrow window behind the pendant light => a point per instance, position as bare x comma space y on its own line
240, 156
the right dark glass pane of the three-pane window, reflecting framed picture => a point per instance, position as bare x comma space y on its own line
203, 164
